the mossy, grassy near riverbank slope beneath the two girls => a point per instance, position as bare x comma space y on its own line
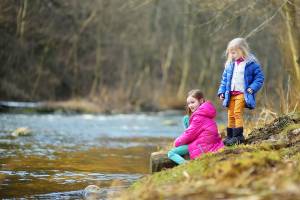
266, 167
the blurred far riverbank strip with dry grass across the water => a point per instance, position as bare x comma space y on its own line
77, 106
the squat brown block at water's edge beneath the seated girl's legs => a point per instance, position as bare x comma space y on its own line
159, 161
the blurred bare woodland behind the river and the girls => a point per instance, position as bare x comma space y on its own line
143, 54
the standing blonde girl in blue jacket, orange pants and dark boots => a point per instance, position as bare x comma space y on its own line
241, 80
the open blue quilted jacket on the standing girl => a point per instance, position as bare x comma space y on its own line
254, 79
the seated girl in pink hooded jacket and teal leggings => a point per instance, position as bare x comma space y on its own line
202, 135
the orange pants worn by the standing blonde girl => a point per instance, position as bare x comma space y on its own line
236, 111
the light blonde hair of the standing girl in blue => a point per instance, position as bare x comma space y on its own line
237, 43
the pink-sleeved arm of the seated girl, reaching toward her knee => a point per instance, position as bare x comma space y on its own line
190, 134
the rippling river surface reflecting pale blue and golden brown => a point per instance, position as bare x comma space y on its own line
66, 153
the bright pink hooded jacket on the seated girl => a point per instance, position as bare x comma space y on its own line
202, 134
